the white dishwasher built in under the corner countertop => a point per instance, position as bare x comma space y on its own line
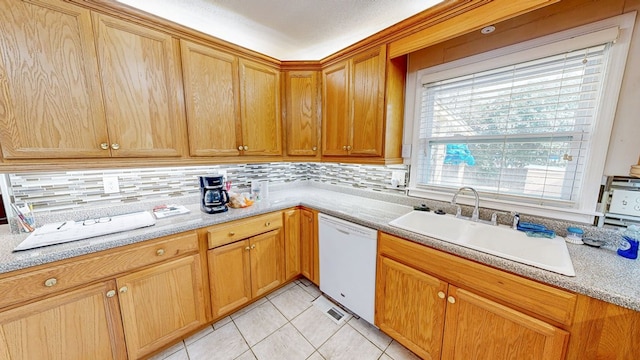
348, 264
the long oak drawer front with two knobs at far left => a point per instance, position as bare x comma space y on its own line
85, 269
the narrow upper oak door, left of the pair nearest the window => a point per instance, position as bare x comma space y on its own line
335, 109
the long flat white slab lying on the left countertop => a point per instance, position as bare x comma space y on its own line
58, 233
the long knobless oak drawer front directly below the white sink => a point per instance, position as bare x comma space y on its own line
524, 294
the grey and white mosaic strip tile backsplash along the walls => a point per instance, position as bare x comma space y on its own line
73, 190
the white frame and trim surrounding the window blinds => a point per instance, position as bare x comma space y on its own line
585, 208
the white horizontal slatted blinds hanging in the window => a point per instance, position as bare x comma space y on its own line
518, 132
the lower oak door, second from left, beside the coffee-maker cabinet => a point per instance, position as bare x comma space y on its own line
161, 304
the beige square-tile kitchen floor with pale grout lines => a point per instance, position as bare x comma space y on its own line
286, 326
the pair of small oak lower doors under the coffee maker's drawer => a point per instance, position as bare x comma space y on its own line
244, 270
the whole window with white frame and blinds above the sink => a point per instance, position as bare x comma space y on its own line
522, 126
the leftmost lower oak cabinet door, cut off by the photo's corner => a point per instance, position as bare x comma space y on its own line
81, 324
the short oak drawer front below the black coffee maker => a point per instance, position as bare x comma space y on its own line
244, 228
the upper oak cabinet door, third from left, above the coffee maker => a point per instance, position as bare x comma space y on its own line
211, 99
